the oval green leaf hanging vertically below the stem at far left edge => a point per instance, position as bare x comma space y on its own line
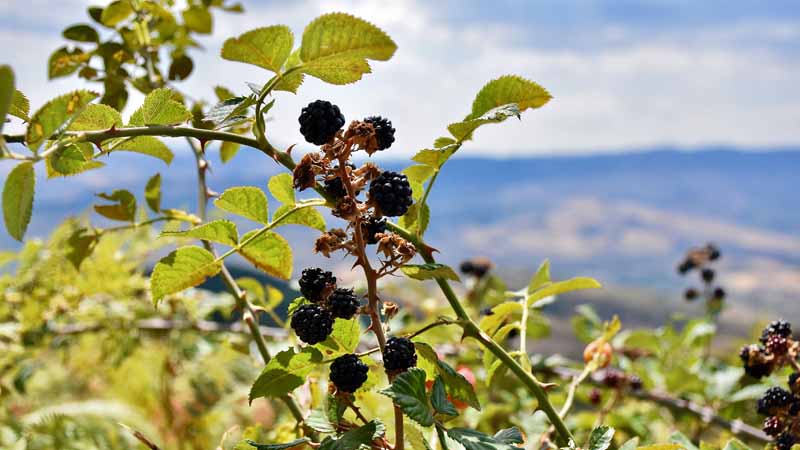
18, 199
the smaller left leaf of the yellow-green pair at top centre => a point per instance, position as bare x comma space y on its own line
266, 47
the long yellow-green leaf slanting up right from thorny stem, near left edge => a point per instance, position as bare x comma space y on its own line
54, 114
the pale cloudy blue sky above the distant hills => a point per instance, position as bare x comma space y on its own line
626, 75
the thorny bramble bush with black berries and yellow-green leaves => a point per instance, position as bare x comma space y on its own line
97, 354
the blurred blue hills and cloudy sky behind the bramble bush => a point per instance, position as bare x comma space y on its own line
673, 123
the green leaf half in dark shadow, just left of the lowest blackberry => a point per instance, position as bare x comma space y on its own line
285, 372
